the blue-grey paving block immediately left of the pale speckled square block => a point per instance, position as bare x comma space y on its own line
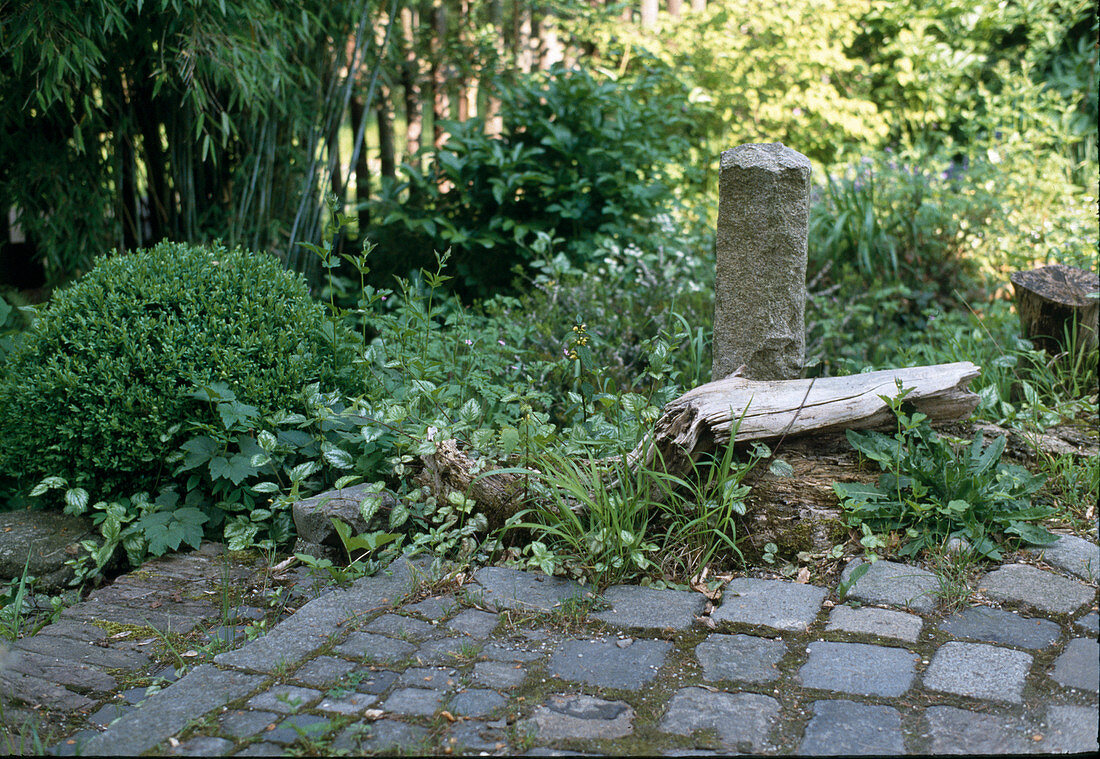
859, 668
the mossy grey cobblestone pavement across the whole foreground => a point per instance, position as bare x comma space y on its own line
504, 663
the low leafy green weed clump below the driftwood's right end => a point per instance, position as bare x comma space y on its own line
931, 494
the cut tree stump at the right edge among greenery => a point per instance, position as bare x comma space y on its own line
1052, 299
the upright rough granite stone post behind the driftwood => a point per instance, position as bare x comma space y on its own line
760, 309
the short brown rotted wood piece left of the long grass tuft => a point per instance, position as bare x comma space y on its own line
499, 496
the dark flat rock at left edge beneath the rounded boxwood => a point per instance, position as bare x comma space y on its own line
42, 543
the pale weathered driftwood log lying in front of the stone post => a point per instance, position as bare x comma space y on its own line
701, 420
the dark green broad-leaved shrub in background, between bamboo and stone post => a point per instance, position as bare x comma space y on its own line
580, 159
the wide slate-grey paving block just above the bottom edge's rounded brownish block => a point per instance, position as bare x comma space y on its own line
604, 665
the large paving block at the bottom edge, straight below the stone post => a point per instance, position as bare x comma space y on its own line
739, 719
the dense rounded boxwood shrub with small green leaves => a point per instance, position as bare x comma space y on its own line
101, 390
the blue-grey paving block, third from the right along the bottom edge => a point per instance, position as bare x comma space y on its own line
845, 728
